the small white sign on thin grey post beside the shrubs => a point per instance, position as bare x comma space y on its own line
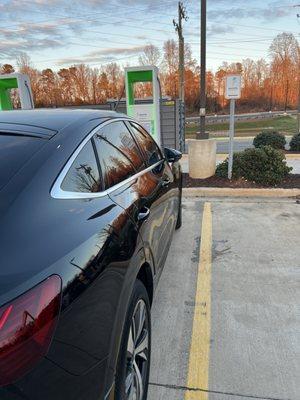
232, 93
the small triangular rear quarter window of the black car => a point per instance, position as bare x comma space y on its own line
83, 175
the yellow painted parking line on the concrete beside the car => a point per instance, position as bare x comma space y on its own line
200, 342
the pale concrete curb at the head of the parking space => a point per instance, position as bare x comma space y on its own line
230, 192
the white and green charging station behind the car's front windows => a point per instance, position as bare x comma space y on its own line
147, 114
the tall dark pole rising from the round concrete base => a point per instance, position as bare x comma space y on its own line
202, 134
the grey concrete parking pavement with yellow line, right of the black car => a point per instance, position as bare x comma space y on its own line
226, 324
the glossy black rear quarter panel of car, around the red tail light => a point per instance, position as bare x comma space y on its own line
95, 248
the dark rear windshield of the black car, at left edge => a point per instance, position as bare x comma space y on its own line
15, 150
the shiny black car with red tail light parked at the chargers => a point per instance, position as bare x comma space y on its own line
88, 207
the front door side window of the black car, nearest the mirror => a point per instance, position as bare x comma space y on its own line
147, 144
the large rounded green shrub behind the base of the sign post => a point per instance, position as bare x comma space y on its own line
265, 166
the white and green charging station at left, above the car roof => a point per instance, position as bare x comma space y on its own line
15, 81
